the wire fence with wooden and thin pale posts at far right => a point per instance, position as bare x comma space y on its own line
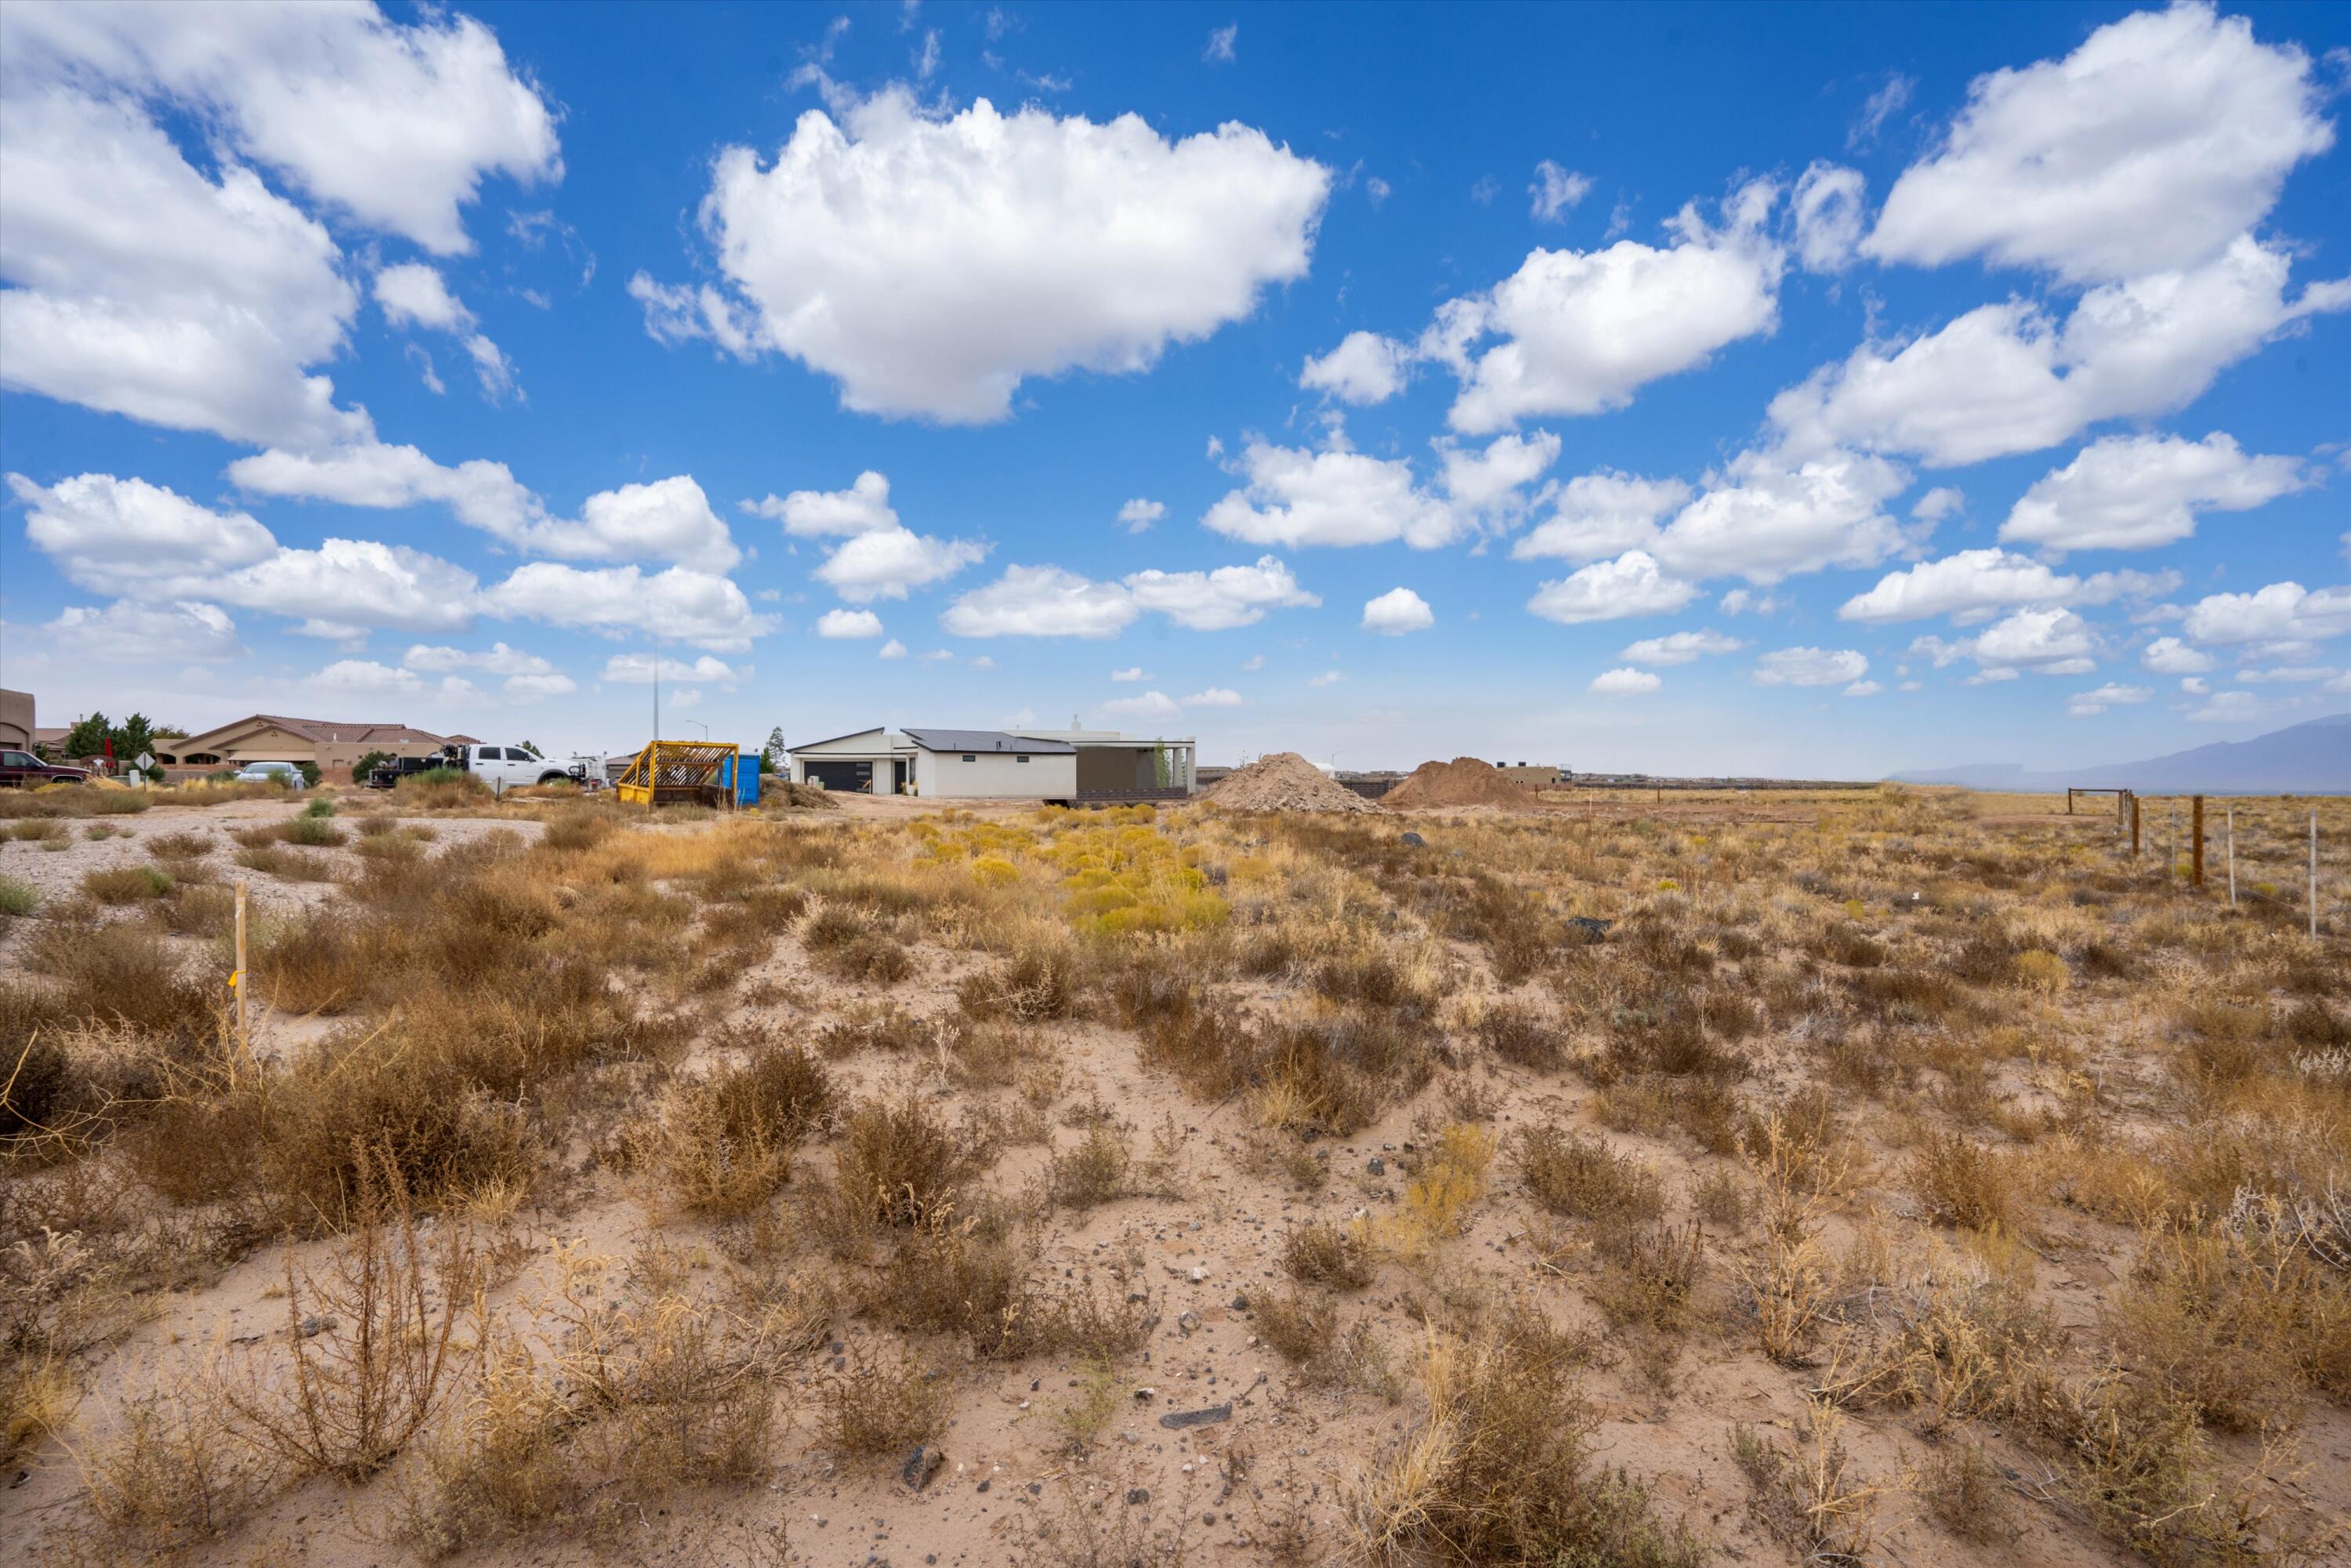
2282, 859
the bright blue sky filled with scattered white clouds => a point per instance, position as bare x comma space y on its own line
1706, 389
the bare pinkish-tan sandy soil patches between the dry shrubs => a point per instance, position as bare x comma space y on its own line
1200, 1247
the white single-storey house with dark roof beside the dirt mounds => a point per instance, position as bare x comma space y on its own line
1064, 765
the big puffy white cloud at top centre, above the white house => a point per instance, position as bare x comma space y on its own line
932, 262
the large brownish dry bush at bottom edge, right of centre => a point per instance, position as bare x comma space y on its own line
1501, 1468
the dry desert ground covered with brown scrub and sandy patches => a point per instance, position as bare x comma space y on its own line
1889, 1177
